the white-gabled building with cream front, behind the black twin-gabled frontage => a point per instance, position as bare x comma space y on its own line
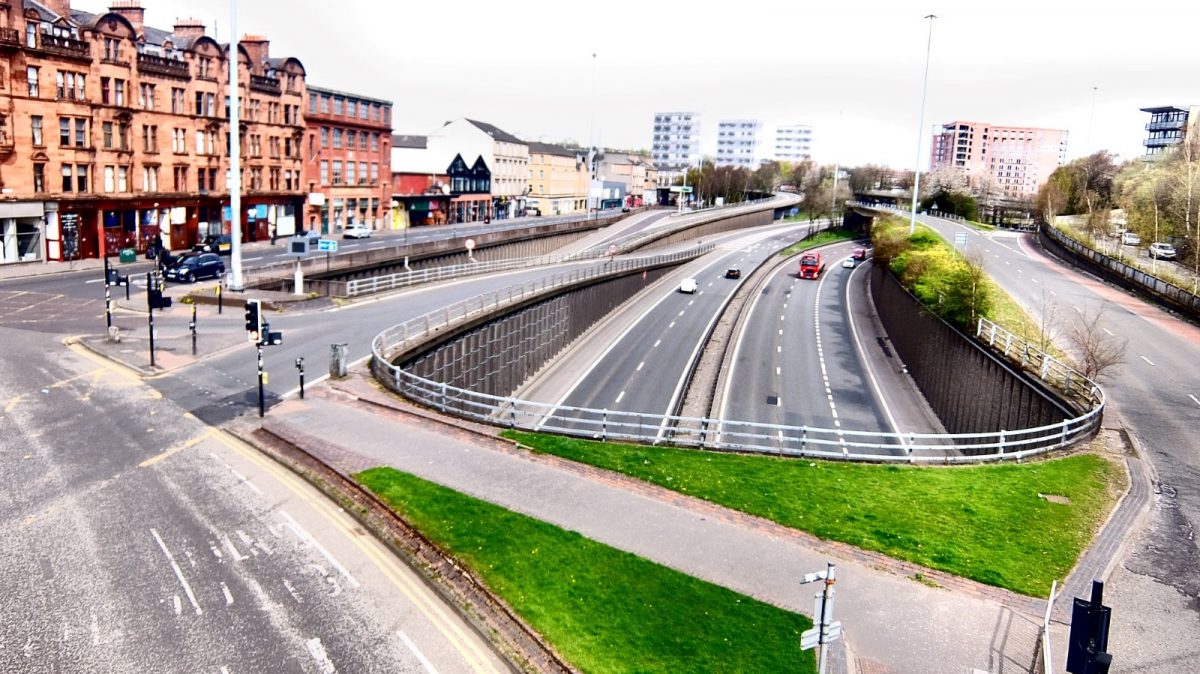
506, 155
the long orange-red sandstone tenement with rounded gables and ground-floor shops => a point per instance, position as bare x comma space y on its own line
118, 133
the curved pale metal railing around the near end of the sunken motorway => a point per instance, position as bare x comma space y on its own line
403, 342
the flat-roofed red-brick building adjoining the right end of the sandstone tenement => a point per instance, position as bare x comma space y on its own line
349, 160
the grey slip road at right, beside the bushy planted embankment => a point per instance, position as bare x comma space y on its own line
1156, 394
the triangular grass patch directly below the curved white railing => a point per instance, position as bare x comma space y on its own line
988, 523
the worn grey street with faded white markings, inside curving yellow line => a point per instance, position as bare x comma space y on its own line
140, 540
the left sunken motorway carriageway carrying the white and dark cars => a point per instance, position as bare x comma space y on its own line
641, 372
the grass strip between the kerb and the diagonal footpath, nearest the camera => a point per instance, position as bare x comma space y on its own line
602, 609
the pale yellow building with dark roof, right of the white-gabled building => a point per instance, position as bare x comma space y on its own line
559, 180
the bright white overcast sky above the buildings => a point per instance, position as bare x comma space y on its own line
850, 69
